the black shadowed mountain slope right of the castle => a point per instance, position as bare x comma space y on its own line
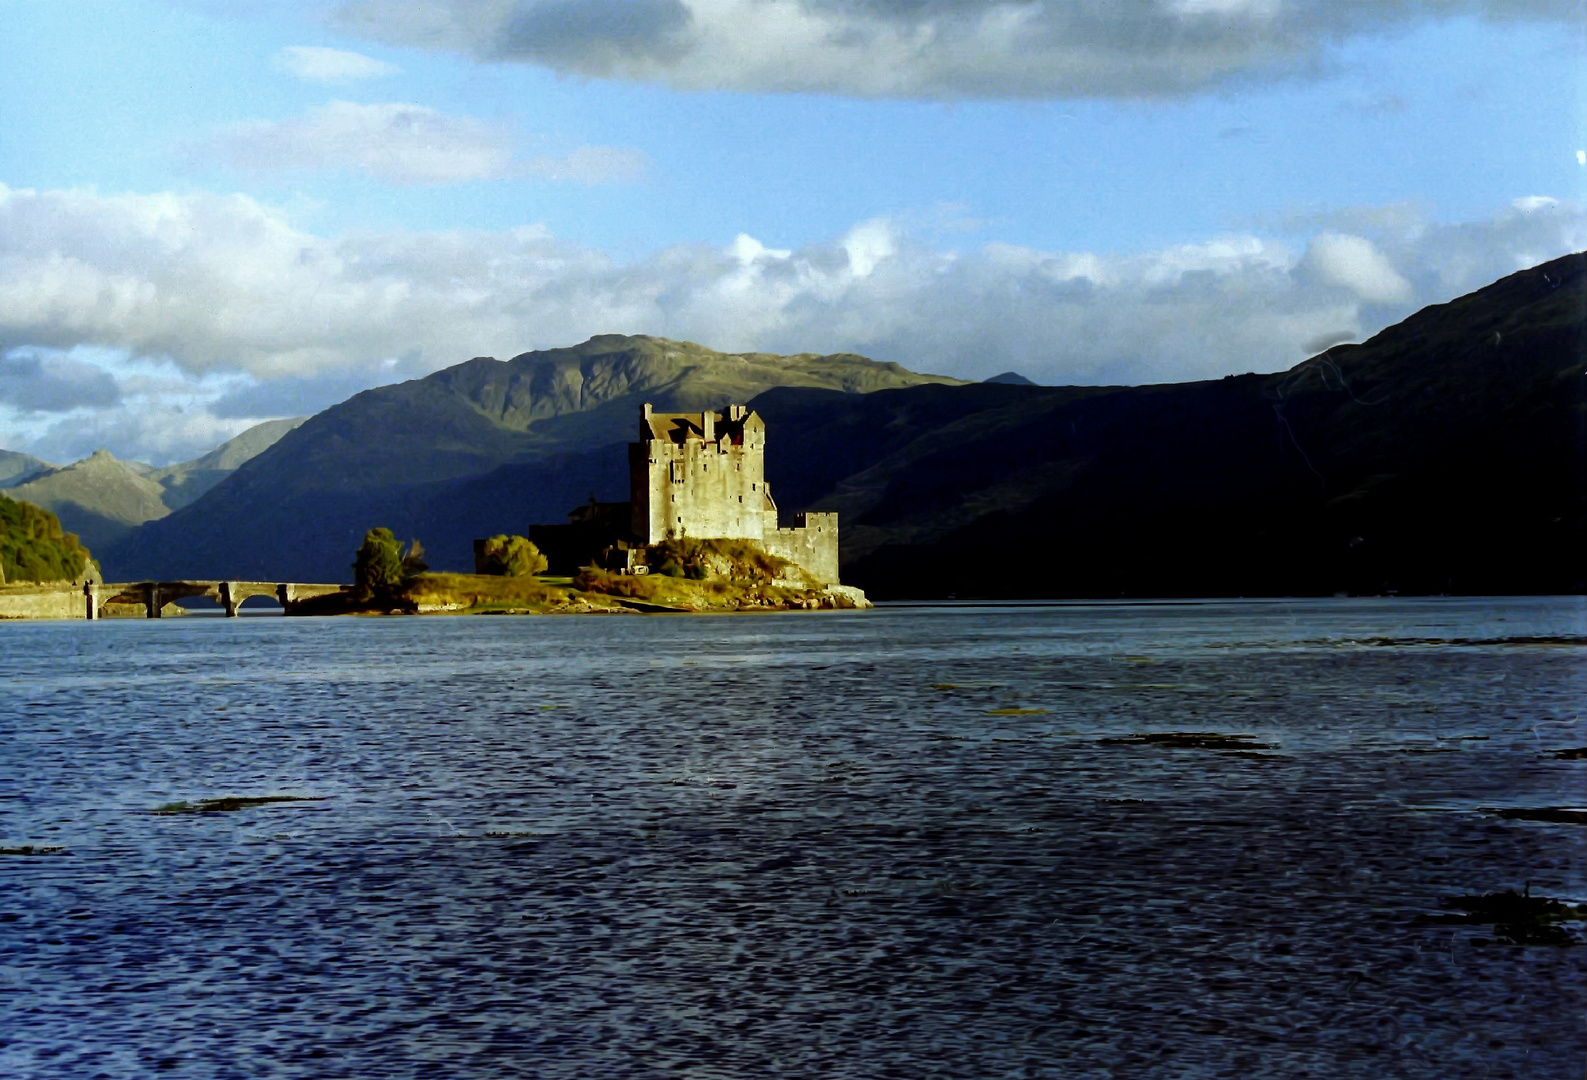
1445, 454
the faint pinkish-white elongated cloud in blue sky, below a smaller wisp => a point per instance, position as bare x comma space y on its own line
391, 142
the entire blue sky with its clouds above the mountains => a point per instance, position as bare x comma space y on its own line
223, 212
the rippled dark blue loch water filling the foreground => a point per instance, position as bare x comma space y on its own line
904, 843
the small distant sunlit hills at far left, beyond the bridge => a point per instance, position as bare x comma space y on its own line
104, 499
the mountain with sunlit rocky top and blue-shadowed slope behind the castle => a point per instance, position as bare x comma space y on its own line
482, 448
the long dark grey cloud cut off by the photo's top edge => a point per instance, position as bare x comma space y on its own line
918, 48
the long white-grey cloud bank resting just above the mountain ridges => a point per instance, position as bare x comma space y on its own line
256, 316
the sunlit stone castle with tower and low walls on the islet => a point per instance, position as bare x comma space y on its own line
693, 475
